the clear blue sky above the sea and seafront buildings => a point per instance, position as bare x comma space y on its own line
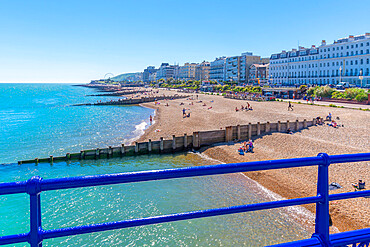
76, 41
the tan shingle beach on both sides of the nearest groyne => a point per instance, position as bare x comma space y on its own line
210, 112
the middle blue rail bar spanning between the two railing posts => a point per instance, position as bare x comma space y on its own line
176, 217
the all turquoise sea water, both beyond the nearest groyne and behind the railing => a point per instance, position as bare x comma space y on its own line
37, 120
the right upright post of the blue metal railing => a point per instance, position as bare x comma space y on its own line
322, 208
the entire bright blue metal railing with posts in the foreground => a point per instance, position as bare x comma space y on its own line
321, 237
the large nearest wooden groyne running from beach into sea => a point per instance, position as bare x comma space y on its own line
181, 143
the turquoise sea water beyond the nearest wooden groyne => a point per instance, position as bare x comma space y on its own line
38, 120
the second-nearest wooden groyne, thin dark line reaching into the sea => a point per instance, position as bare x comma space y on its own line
136, 101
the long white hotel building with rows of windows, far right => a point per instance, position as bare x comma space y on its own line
346, 60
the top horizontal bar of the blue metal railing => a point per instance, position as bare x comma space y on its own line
86, 181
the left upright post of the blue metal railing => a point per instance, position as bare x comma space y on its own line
34, 189
